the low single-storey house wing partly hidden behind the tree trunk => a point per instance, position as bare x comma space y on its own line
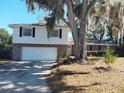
95, 48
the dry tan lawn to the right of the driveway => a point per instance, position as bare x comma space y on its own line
91, 78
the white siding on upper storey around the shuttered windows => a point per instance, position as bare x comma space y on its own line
41, 36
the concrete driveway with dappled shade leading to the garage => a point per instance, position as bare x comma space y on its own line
24, 77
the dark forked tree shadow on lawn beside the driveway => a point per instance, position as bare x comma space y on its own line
57, 86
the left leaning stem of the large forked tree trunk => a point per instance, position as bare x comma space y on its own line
71, 18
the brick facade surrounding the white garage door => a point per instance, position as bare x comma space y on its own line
62, 50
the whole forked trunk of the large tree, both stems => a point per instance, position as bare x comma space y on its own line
79, 36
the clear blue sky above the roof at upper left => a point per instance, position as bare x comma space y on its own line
15, 12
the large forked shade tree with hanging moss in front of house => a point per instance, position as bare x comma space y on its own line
74, 13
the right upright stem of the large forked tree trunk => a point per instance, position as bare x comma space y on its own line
82, 31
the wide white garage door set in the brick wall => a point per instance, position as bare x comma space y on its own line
39, 53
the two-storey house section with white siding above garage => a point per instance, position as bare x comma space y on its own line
32, 42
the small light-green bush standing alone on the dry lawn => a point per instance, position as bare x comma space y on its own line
109, 57
